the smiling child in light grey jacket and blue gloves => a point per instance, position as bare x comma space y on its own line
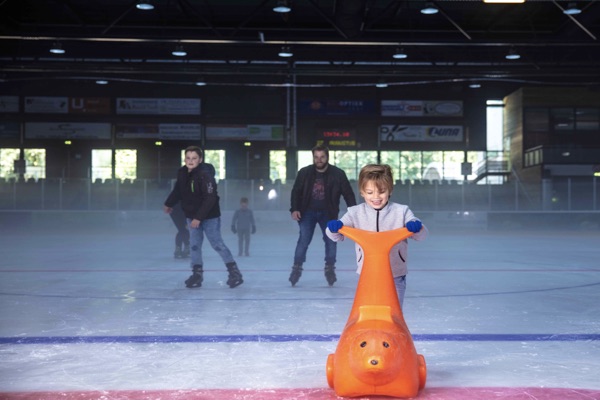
379, 214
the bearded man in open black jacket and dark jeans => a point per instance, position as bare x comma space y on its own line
316, 200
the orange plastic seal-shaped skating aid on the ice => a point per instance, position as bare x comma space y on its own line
375, 354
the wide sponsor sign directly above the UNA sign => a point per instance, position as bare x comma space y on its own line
421, 108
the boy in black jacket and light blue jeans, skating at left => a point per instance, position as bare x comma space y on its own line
196, 189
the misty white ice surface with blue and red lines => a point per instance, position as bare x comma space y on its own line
102, 313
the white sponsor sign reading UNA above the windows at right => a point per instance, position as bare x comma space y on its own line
420, 133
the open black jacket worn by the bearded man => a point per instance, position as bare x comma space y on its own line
336, 185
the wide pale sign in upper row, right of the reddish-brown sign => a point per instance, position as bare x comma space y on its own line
157, 106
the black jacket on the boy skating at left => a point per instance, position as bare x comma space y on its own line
197, 192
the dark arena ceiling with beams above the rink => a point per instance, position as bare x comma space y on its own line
334, 42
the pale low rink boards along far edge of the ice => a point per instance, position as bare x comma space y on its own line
18, 220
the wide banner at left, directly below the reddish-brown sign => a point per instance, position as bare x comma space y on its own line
67, 130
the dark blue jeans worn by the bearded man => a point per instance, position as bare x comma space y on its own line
307, 225
